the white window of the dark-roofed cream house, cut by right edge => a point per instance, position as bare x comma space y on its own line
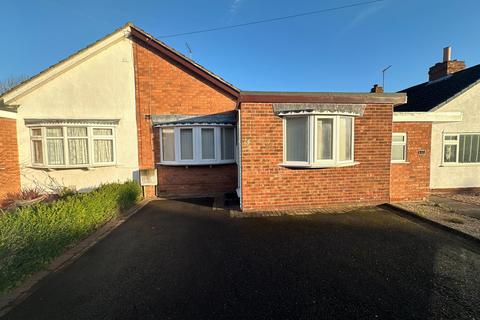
461, 148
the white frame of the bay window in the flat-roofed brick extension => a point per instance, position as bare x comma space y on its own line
312, 126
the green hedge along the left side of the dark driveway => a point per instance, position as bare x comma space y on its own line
31, 237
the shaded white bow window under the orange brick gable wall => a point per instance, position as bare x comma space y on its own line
197, 145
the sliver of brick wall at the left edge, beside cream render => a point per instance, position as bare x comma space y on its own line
9, 168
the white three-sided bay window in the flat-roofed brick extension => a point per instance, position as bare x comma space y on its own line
318, 140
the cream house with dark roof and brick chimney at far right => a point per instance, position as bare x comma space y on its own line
452, 99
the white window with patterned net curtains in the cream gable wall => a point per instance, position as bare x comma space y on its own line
72, 146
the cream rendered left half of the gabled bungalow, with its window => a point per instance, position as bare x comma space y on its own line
72, 118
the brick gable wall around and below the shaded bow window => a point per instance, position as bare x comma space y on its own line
164, 87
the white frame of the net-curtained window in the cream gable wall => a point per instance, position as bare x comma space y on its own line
90, 145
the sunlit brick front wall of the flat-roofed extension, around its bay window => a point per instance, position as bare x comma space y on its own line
268, 186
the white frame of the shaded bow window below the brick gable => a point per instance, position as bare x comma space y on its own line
197, 145
